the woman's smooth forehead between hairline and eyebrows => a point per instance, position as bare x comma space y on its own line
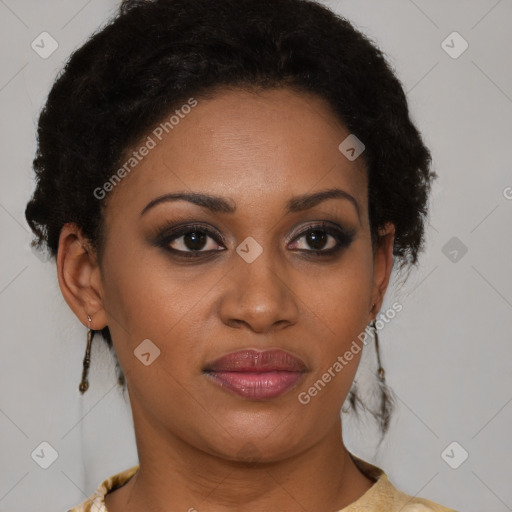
258, 148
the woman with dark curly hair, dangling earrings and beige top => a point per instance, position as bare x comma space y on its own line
225, 186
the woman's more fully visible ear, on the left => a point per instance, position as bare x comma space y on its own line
79, 277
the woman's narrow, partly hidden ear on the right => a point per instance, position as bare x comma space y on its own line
382, 266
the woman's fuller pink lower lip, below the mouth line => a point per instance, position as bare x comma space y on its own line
256, 385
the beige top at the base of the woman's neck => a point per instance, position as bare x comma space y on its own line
381, 497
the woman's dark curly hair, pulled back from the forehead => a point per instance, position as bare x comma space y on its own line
153, 55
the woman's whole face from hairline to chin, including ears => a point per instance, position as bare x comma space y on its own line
262, 268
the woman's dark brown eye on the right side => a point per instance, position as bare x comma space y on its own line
317, 237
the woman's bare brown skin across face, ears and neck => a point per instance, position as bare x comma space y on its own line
195, 439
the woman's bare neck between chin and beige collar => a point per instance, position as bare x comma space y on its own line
173, 475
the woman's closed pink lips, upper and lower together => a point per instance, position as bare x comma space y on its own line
255, 374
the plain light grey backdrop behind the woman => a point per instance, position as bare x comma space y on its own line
447, 354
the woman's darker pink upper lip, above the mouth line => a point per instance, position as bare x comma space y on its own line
252, 360
